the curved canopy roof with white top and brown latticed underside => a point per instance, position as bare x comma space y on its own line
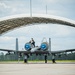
14, 21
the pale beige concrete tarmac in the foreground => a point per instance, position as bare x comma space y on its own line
37, 69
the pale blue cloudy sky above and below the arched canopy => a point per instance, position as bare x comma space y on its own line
62, 37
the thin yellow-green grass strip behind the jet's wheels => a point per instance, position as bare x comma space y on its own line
37, 61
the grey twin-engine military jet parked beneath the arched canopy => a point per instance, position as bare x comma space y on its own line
44, 48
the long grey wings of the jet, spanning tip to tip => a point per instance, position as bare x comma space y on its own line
39, 51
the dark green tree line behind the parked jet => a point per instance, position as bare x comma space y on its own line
13, 57
